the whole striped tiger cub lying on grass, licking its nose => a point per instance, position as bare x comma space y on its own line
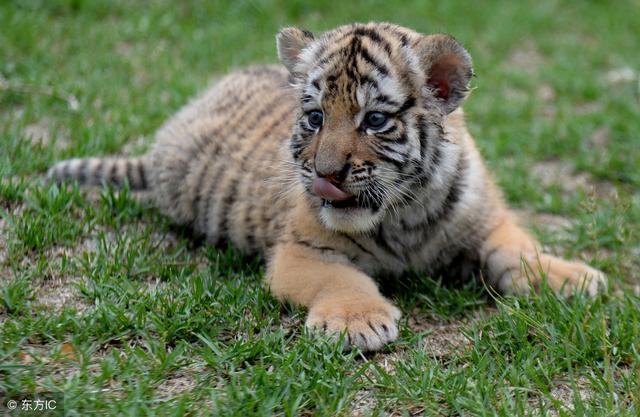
350, 161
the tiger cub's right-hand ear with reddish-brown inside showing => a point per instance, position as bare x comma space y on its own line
448, 69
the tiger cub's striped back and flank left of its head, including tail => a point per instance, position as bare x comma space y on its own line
216, 165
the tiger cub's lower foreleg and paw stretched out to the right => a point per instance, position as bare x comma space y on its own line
513, 263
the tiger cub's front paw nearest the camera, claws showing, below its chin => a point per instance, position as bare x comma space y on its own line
370, 322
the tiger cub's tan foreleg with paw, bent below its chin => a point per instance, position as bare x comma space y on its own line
338, 296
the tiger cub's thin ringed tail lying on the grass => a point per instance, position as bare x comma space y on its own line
98, 171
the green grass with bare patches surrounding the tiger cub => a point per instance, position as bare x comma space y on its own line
102, 299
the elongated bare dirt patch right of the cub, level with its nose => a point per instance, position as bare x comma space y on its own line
560, 174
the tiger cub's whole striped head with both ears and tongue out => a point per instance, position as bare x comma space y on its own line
372, 99
